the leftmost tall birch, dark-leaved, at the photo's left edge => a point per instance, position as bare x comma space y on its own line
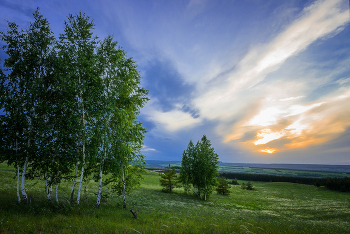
28, 51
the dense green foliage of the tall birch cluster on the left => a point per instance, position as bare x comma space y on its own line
71, 102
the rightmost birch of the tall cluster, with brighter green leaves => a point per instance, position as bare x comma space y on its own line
122, 135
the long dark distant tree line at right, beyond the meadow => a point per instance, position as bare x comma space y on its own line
340, 184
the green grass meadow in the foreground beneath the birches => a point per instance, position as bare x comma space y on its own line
271, 208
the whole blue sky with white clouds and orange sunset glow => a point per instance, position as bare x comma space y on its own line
267, 81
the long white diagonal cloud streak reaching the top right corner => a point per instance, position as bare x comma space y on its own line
316, 22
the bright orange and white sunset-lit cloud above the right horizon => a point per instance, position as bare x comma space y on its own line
279, 125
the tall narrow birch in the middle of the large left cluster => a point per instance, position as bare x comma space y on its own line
77, 51
